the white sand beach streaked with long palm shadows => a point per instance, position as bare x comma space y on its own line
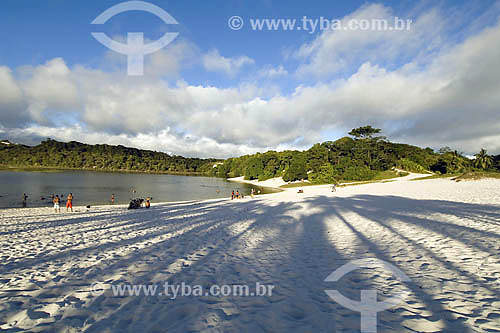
444, 235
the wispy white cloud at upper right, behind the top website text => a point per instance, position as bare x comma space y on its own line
338, 51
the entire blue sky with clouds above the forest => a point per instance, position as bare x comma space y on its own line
221, 92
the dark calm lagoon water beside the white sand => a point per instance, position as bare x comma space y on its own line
95, 188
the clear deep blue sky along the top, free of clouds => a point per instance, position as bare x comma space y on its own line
36, 31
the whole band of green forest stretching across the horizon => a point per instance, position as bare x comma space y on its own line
363, 155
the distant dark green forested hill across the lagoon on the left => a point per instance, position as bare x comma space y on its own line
76, 155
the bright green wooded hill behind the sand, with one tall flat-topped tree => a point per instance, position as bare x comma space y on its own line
359, 158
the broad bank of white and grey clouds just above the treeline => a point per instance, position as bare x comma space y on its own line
448, 99
